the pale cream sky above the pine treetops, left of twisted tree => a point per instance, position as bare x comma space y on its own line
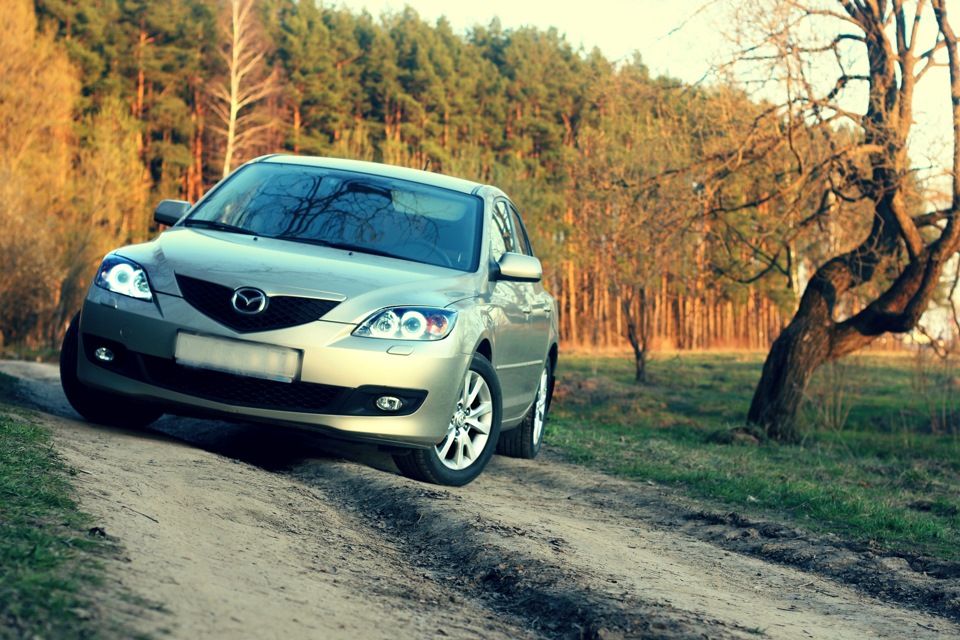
617, 27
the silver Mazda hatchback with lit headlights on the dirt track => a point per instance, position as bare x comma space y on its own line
360, 300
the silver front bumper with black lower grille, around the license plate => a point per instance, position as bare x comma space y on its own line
340, 375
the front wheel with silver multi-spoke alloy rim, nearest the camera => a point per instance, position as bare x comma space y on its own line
471, 435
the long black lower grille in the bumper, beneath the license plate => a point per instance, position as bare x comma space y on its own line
242, 391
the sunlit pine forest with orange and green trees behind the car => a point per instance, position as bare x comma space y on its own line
648, 235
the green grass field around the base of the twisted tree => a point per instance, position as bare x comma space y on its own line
879, 462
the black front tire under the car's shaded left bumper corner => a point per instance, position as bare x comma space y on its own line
96, 405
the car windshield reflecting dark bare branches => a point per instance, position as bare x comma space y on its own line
355, 211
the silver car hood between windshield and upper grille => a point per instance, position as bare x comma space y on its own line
361, 282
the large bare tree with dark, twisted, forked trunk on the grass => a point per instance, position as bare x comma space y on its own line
874, 54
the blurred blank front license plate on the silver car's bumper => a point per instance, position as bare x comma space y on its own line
233, 356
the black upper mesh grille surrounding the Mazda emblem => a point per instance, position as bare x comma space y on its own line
214, 301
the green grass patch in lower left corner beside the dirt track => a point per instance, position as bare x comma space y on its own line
48, 559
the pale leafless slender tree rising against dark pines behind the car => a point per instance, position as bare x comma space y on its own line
247, 81
